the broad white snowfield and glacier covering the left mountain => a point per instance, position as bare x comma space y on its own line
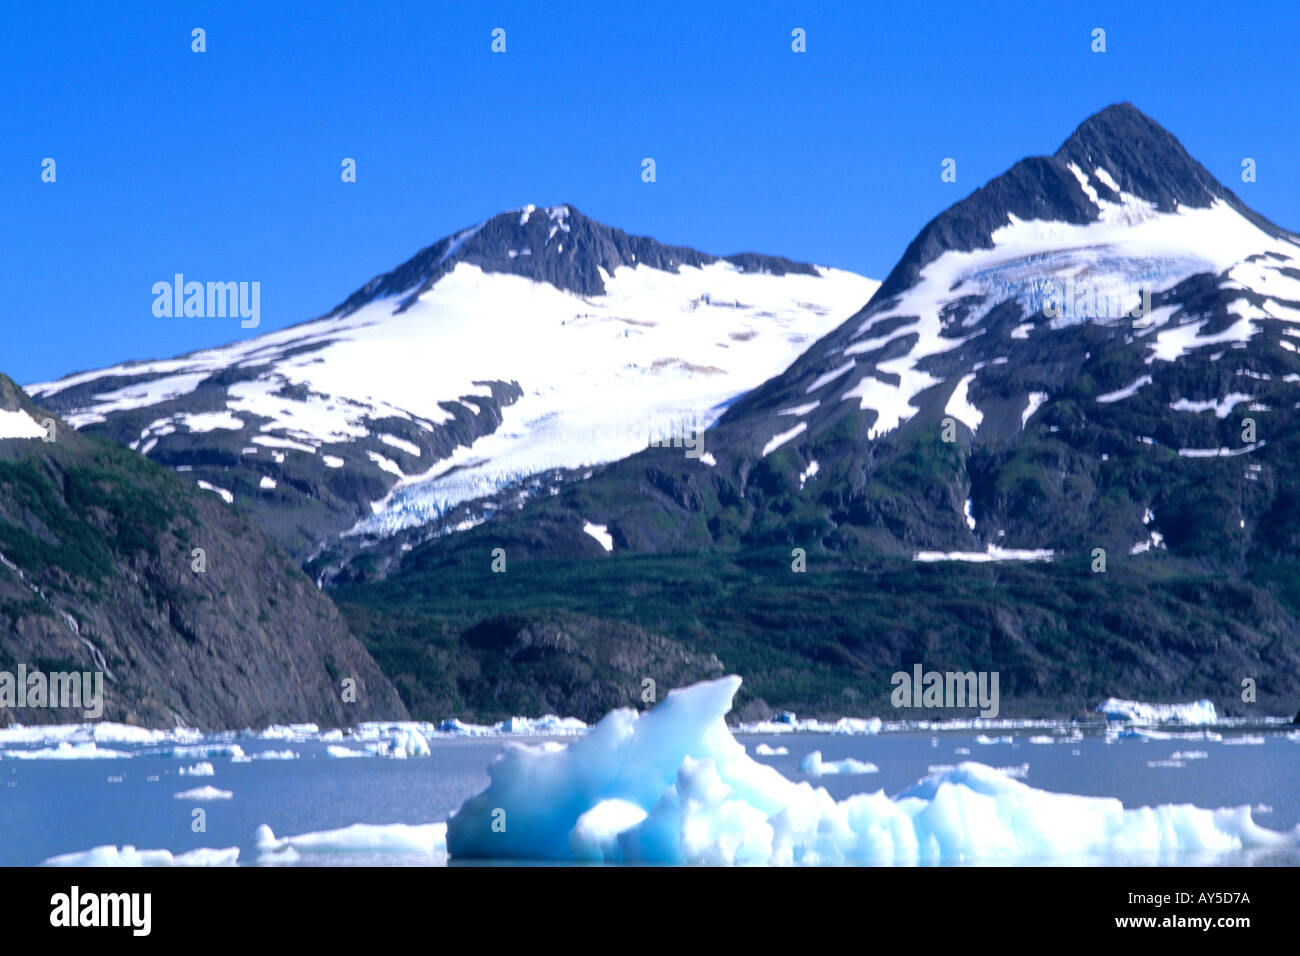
660, 353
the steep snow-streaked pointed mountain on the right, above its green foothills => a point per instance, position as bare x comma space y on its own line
1042, 352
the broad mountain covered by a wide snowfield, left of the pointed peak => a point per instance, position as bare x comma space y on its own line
535, 343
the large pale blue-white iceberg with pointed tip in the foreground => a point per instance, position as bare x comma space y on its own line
674, 786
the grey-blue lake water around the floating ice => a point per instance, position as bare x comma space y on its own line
53, 807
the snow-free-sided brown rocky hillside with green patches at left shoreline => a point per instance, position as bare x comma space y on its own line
99, 573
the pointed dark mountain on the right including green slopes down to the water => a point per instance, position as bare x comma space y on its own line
1095, 356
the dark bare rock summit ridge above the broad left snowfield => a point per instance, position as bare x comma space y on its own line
547, 244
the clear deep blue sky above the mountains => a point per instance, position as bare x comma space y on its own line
226, 166
